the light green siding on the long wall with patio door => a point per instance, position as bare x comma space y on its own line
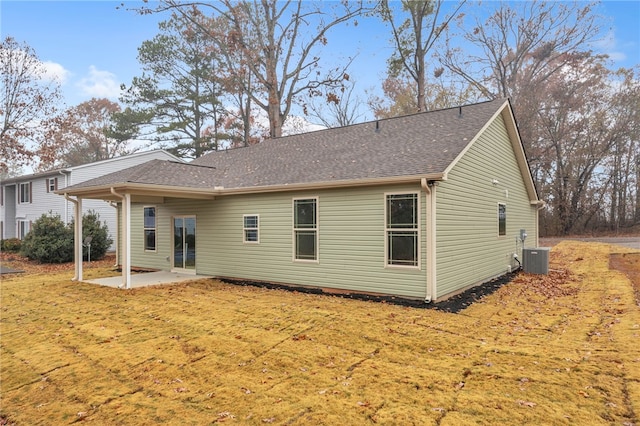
351, 235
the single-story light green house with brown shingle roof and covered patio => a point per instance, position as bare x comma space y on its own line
420, 206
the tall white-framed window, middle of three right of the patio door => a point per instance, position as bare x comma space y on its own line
305, 229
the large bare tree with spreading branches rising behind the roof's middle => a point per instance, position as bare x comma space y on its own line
280, 41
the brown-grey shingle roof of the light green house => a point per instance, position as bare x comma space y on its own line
423, 144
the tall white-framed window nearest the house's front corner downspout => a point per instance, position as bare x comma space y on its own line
402, 229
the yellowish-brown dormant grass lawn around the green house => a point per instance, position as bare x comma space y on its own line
557, 349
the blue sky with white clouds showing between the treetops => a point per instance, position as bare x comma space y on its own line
93, 46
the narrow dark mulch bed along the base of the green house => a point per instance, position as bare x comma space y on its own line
454, 304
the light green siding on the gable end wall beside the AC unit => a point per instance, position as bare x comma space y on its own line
469, 248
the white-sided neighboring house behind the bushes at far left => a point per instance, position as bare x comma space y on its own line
25, 198
